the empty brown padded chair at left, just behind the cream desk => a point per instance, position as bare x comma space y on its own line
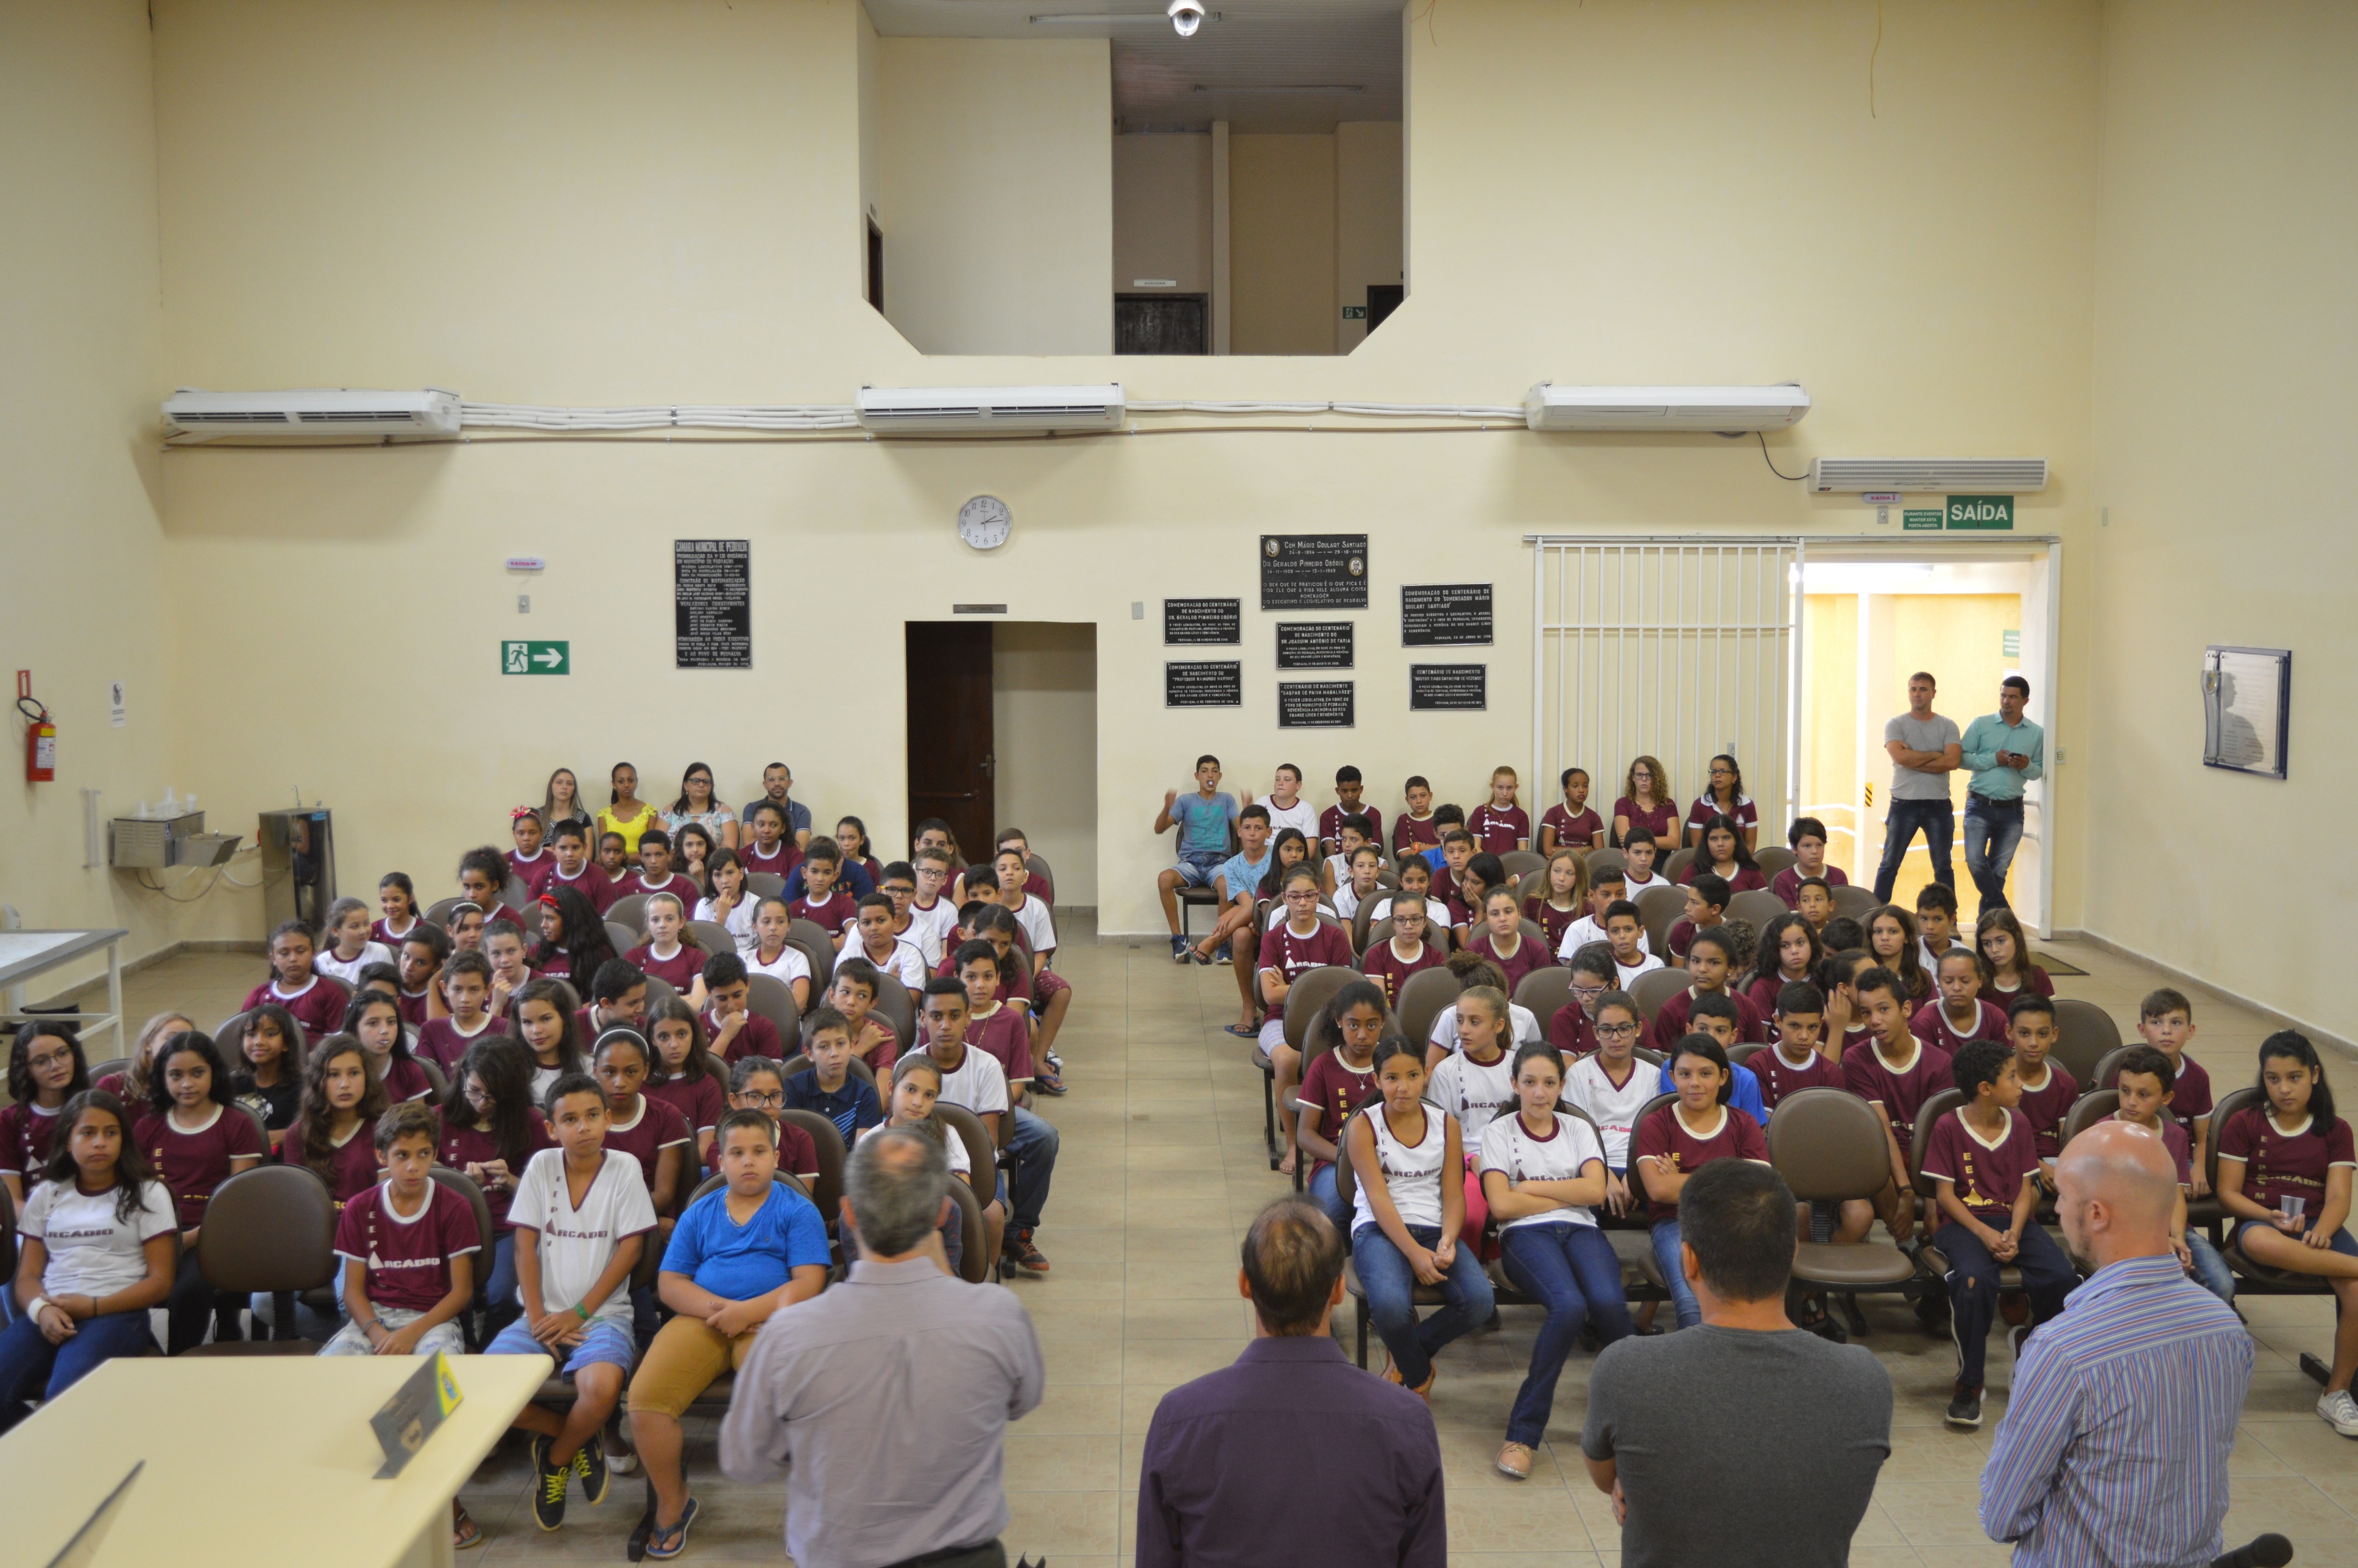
270, 1232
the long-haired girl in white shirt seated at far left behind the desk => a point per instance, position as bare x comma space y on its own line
98, 1249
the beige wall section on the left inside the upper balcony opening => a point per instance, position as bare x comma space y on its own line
996, 190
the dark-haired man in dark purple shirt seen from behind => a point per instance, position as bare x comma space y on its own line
1246, 1468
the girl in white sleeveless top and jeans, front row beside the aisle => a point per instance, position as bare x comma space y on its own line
1409, 1215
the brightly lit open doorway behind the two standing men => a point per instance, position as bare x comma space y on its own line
1873, 617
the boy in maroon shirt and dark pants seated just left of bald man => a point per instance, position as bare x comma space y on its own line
1984, 1164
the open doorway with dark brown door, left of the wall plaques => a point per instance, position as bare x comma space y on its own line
1003, 734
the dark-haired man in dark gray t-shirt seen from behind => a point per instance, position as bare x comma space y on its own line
1697, 1435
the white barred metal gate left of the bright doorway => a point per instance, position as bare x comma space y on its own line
1666, 647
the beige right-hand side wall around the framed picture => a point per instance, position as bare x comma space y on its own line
2222, 414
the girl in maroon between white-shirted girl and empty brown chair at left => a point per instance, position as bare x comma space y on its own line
192, 1140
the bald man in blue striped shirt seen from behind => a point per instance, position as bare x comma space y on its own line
2123, 1411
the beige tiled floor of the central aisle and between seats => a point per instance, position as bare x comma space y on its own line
1159, 1175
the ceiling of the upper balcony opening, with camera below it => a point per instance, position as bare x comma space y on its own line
1237, 70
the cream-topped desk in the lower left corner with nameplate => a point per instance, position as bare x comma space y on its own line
249, 1461
